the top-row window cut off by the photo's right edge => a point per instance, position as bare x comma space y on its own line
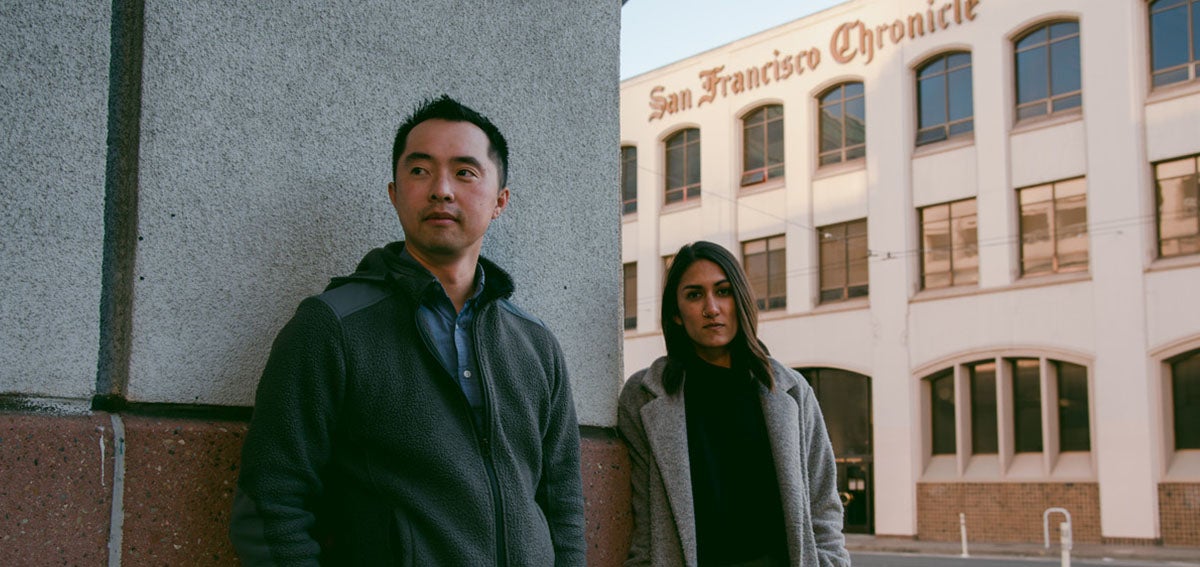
1174, 41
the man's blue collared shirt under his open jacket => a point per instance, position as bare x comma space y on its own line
452, 337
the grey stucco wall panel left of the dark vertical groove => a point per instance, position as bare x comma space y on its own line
55, 87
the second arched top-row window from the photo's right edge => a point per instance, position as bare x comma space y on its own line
1048, 79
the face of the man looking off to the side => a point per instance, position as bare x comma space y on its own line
447, 190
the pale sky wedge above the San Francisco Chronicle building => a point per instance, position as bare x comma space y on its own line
657, 33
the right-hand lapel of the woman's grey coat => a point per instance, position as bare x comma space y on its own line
782, 414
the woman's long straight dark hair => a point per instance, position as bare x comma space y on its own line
746, 350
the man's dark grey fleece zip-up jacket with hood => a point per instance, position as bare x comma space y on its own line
363, 450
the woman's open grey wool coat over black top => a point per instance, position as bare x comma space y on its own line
655, 427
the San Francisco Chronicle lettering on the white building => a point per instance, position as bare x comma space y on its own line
850, 41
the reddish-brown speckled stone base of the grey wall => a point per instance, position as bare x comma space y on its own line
179, 479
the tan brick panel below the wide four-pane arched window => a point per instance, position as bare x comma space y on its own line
1006, 512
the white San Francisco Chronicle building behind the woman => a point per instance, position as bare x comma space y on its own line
973, 224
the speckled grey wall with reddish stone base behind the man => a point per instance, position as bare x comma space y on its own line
178, 177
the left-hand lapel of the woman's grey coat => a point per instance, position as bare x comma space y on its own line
667, 429
